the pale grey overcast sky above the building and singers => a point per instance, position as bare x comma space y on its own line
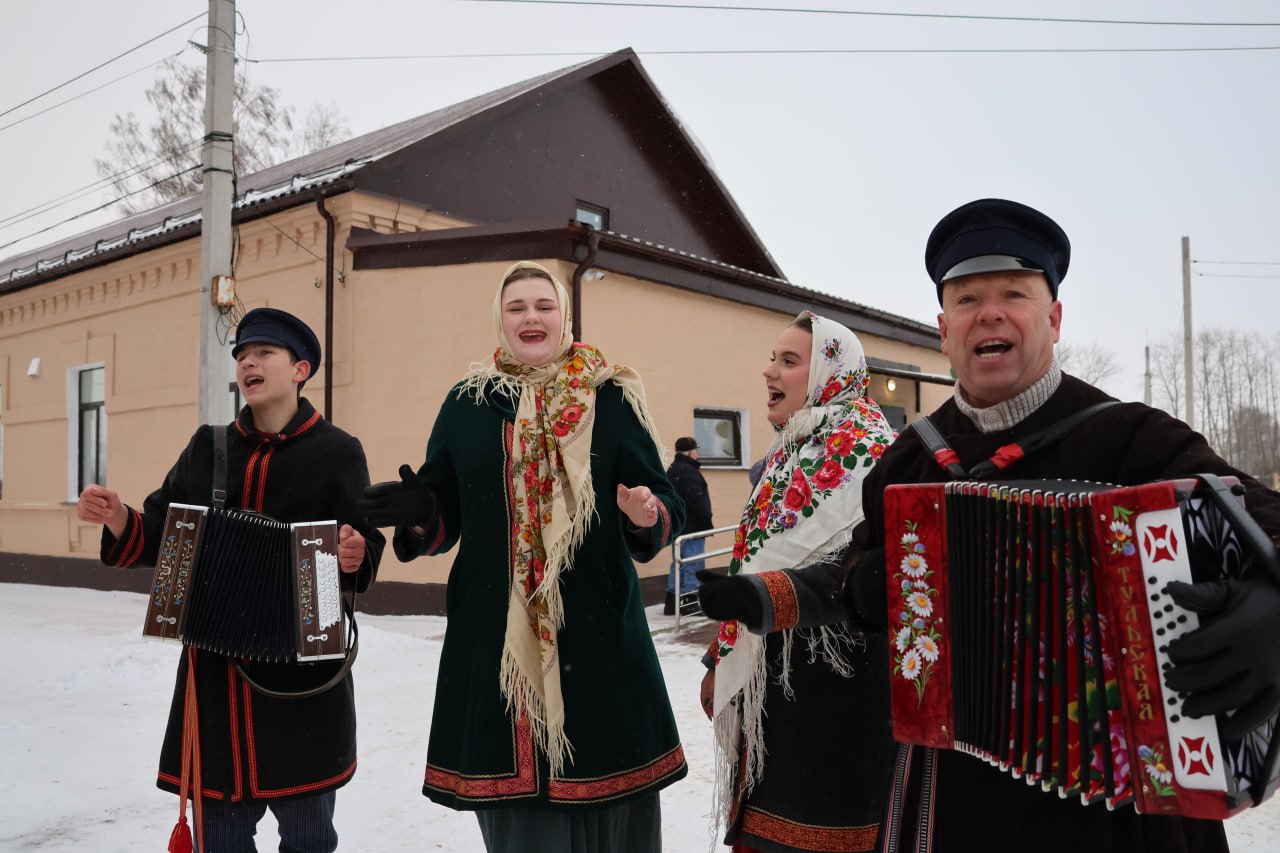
842, 161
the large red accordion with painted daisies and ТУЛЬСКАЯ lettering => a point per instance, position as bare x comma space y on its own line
1030, 627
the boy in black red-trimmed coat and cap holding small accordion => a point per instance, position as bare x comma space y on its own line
257, 751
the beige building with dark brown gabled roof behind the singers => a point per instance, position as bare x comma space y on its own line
391, 247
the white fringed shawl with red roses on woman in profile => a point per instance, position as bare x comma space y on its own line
803, 510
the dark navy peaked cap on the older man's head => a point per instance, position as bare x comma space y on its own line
994, 235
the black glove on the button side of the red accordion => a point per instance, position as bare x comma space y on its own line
1231, 663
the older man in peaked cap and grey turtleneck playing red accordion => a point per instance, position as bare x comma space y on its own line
998, 267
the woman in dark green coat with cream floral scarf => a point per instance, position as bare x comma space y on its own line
552, 720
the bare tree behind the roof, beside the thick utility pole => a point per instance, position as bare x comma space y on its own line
158, 163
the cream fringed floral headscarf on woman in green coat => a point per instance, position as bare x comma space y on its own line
554, 507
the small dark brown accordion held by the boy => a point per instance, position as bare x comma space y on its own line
248, 586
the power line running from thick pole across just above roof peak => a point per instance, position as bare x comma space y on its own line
778, 53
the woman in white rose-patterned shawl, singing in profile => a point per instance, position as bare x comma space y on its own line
804, 760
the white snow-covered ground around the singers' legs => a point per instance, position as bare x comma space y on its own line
86, 701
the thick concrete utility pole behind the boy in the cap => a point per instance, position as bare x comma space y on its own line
217, 288
